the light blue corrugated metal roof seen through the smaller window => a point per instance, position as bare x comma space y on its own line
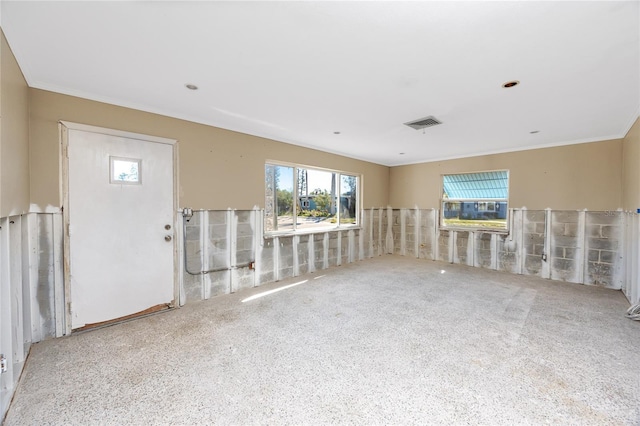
477, 186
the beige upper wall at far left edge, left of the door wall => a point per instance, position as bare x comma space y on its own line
14, 135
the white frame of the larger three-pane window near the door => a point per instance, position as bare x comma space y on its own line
320, 229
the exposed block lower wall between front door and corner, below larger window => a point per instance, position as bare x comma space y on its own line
221, 245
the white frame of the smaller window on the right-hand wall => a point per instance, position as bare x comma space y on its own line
443, 227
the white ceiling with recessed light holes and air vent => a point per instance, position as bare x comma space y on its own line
299, 71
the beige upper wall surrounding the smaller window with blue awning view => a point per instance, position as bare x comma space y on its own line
568, 177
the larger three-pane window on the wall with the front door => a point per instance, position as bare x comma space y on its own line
300, 198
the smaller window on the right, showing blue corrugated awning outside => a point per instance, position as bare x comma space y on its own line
475, 200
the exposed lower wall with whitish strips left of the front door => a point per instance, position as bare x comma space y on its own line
31, 290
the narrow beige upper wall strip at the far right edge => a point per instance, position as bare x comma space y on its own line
631, 168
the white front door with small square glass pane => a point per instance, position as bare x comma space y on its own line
120, 213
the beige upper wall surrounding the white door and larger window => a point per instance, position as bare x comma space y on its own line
219, 169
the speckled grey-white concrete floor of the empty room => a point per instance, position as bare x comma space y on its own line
385, 341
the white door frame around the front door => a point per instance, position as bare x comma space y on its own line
64, 127
